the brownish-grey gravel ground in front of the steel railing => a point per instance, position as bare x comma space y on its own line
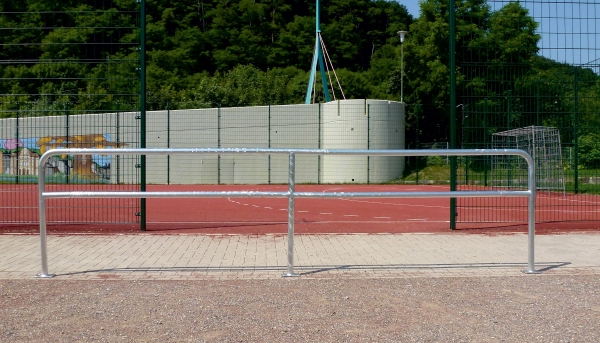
542, 308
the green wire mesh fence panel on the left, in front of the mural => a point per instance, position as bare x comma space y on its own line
60, 64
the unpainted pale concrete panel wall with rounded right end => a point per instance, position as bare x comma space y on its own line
345, 124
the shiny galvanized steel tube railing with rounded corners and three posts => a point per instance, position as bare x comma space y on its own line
291, 194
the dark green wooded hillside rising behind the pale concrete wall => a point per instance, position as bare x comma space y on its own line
206, 53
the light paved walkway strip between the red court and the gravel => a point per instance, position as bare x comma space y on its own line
191, 257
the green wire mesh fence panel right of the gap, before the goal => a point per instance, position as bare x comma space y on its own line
537, 89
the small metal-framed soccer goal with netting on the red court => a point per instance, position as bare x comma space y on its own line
543, 144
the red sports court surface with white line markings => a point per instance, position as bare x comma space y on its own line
255, 216
